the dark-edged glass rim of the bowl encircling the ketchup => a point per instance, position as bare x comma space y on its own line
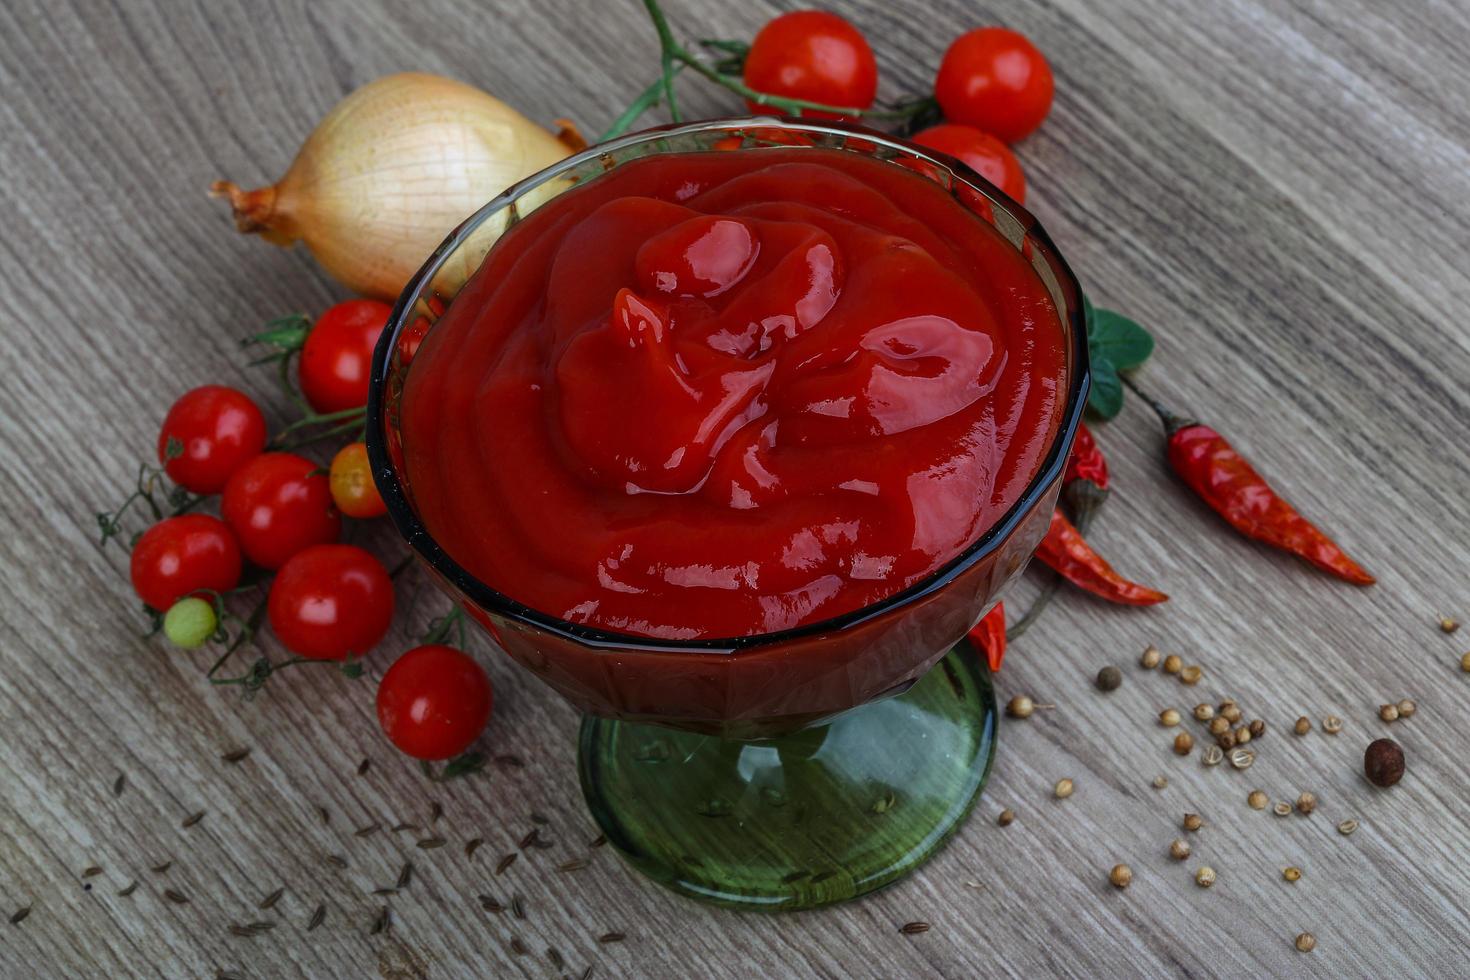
418, 537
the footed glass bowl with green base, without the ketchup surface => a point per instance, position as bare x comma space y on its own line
777, 771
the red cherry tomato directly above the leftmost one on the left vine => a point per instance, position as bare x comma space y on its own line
217, 430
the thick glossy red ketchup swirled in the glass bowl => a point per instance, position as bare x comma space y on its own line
720, 394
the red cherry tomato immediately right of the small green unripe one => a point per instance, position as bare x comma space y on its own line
331, 603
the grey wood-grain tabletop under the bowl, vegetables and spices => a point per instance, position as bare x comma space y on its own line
1280, 189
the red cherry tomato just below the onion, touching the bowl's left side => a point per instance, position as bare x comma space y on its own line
337, 356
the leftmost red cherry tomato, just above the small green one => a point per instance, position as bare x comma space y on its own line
182, 556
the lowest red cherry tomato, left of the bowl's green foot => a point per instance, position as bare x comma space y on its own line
434, 703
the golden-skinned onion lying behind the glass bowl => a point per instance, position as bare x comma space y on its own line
389, 173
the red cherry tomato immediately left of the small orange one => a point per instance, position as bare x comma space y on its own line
279, 505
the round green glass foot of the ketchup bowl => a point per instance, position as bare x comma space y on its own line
803, 821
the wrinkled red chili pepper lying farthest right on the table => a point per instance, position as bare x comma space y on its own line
1231, 486
